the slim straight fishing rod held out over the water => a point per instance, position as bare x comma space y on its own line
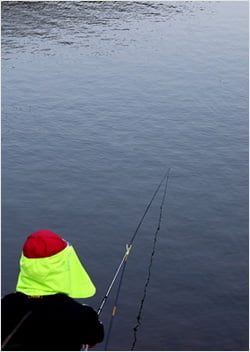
129, 246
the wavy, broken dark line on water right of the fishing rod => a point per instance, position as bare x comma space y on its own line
135, 329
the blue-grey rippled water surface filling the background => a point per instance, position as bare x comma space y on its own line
98, 99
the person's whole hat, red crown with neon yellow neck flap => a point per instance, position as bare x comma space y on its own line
50, 265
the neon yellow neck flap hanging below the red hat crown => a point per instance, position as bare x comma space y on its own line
60, 273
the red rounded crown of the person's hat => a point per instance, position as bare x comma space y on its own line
43, 243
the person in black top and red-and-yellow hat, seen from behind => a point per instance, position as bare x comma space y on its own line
43, 314
